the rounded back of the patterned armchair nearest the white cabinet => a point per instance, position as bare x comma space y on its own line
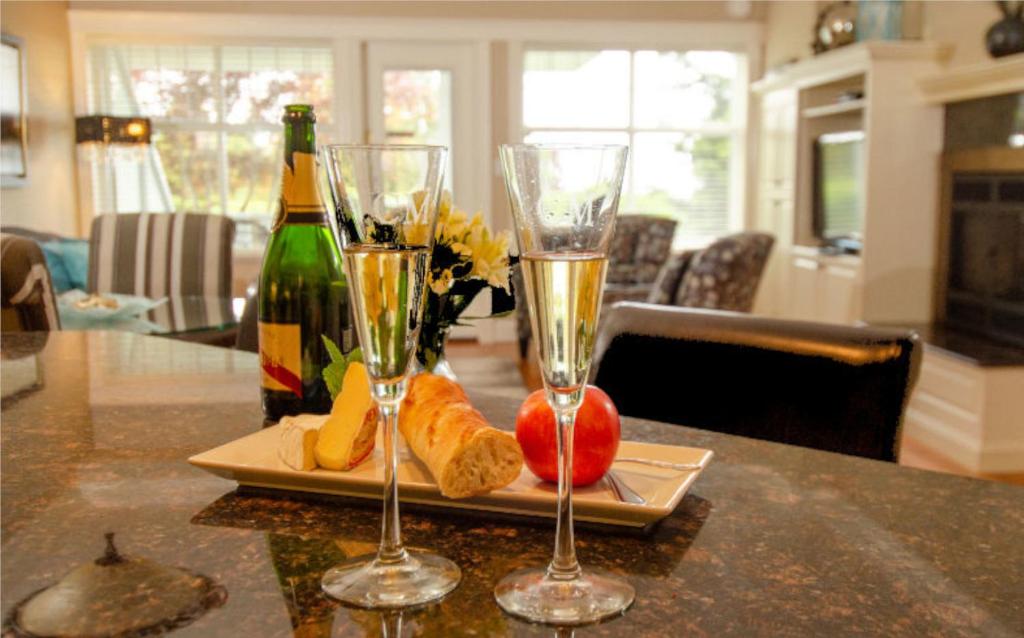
726, 276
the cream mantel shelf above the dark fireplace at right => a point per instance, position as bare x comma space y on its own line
997, 77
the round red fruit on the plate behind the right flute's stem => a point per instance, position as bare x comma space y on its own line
595, 437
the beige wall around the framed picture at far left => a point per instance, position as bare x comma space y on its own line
49, 201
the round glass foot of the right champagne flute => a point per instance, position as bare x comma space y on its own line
533, 596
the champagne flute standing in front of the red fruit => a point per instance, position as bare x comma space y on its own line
565, 199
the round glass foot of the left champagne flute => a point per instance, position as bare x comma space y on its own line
365, 582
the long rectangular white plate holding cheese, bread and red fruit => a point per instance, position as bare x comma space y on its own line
253, 461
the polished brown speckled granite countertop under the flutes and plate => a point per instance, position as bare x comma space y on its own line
772, 540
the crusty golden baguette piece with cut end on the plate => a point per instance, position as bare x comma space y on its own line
466, 456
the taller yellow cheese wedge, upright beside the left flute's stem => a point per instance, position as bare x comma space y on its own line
349, 436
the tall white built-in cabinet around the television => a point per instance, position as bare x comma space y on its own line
893, 279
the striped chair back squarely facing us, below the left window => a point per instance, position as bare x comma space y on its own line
161, 254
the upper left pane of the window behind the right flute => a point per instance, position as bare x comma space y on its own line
576, 90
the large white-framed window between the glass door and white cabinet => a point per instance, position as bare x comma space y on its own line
682, 114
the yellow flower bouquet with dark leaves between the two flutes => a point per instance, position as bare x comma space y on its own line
467, 260
